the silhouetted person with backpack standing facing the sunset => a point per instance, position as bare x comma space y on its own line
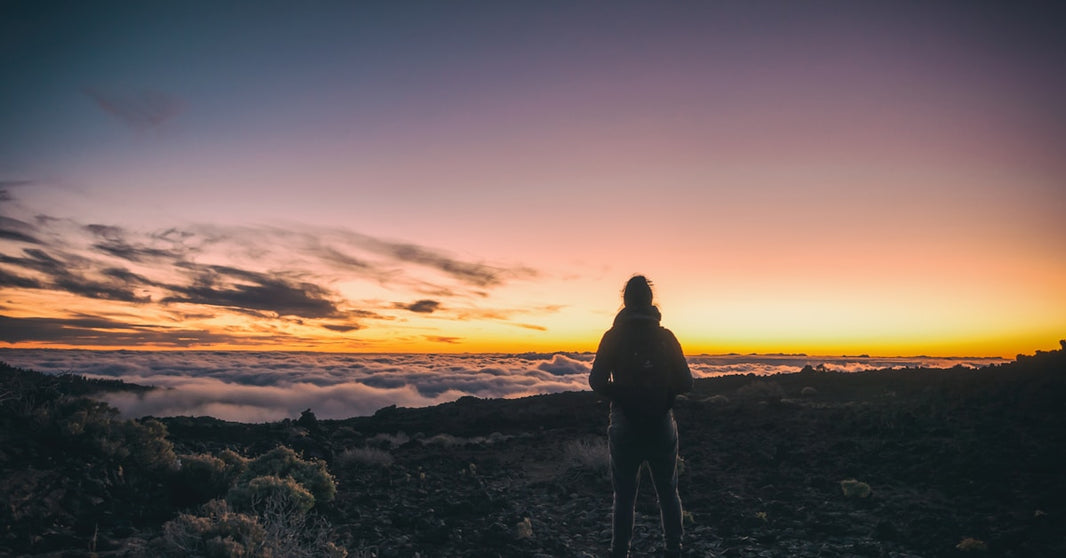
641, 369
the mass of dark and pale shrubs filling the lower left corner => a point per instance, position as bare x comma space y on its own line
90, 470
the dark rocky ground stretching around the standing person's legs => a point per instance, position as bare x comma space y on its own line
946, 464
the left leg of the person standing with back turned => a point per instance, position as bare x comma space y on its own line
625, 480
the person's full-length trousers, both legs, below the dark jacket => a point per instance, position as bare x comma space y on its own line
634, 443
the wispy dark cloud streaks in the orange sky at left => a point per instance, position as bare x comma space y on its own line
292, 275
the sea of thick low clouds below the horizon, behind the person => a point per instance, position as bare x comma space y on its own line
266, 387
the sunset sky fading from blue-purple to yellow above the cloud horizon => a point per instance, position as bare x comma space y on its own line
826, 178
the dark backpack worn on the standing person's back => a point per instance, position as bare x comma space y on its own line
643, 374
